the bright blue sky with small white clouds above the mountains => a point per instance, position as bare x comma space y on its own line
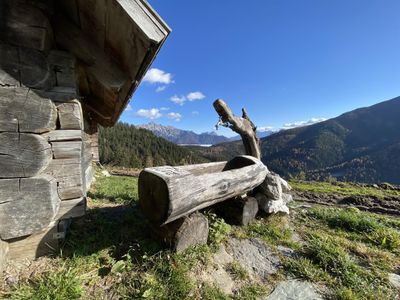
285, 61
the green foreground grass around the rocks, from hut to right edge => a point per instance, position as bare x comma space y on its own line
109, 254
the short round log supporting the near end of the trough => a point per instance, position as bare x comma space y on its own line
184, 232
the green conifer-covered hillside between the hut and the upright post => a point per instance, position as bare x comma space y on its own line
127, 146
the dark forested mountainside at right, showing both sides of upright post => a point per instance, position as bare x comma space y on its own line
361, 145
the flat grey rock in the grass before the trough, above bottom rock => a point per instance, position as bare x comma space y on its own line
255, 256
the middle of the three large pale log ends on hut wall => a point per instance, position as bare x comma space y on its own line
23, 154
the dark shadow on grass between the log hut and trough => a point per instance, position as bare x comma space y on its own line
119, 229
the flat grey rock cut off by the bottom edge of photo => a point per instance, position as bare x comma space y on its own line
294, 289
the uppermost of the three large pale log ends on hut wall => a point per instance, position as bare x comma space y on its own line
21, 109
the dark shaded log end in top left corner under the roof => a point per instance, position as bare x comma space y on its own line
25, 25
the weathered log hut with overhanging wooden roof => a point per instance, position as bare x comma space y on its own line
65, 67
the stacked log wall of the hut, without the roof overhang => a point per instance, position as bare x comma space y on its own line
45, 150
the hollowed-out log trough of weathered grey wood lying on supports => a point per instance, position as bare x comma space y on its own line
169, 193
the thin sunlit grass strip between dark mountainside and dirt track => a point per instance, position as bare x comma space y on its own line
342, 188
